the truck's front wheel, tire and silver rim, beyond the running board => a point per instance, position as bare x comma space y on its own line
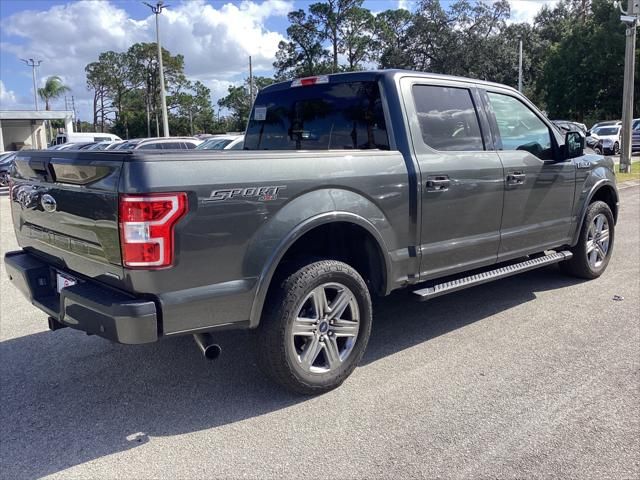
592, 252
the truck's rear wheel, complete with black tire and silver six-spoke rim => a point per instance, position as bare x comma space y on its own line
316, 327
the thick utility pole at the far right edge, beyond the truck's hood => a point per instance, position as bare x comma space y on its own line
630, 19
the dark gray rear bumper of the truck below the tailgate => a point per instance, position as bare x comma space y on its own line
87, 306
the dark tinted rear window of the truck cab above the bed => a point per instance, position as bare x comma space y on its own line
319, 117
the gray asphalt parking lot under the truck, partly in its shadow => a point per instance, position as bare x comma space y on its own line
537, 376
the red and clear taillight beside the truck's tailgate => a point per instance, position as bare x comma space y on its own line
146, 228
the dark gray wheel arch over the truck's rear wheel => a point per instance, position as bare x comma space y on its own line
302, 215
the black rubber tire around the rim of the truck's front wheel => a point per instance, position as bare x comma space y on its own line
579, 265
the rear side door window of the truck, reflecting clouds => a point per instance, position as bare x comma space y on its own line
448, 118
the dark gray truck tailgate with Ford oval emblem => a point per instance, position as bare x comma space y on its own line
65, 210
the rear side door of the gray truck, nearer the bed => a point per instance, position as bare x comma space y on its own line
461, 182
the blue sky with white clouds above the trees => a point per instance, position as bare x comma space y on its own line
216, 38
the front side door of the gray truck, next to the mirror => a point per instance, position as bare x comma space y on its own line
538, 195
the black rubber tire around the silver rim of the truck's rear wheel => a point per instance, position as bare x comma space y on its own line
276, 349
